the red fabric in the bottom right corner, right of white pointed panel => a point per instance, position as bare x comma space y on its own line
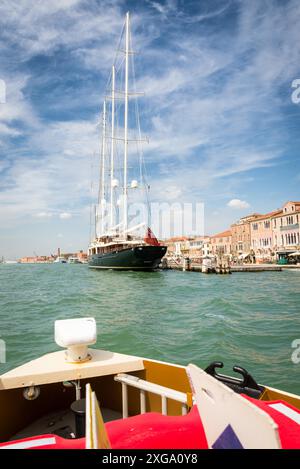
289, 430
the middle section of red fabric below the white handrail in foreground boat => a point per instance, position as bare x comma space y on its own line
156, 431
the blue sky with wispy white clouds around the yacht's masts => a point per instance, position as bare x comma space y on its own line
217, 109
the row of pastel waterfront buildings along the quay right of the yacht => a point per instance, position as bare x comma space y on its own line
255, 237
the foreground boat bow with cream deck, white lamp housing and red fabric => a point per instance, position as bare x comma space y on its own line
49, 403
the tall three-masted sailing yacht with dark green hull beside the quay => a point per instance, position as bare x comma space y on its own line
116, 244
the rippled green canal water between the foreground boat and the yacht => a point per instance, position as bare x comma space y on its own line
249, 319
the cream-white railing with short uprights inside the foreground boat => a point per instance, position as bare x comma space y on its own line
165, 393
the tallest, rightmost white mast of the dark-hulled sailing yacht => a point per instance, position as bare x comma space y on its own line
125, 208
